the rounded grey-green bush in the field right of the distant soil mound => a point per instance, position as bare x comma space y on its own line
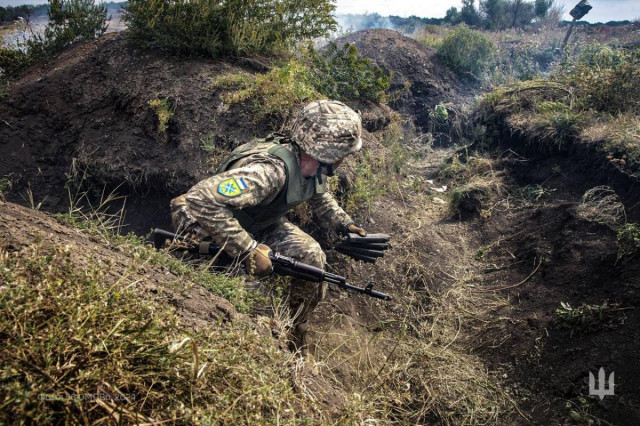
467, 51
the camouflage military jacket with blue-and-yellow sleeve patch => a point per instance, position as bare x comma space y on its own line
253, 189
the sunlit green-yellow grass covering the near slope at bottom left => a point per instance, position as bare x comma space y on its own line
80, 346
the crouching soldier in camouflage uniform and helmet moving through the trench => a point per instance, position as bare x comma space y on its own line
243, 206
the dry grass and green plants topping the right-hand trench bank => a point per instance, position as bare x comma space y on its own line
594, 99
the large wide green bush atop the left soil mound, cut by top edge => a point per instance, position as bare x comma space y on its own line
215, 27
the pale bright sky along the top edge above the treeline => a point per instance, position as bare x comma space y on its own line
603, 10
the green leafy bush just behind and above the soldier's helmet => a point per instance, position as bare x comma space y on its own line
340, 73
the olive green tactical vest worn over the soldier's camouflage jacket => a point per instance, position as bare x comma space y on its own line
297, 189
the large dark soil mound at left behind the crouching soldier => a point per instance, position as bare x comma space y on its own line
85, 119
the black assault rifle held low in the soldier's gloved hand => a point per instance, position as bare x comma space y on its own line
282, 265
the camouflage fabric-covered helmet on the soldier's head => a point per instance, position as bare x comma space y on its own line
328, 130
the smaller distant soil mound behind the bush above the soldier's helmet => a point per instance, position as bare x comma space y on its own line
431, 81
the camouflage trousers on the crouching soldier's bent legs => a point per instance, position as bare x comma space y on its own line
284, 238
